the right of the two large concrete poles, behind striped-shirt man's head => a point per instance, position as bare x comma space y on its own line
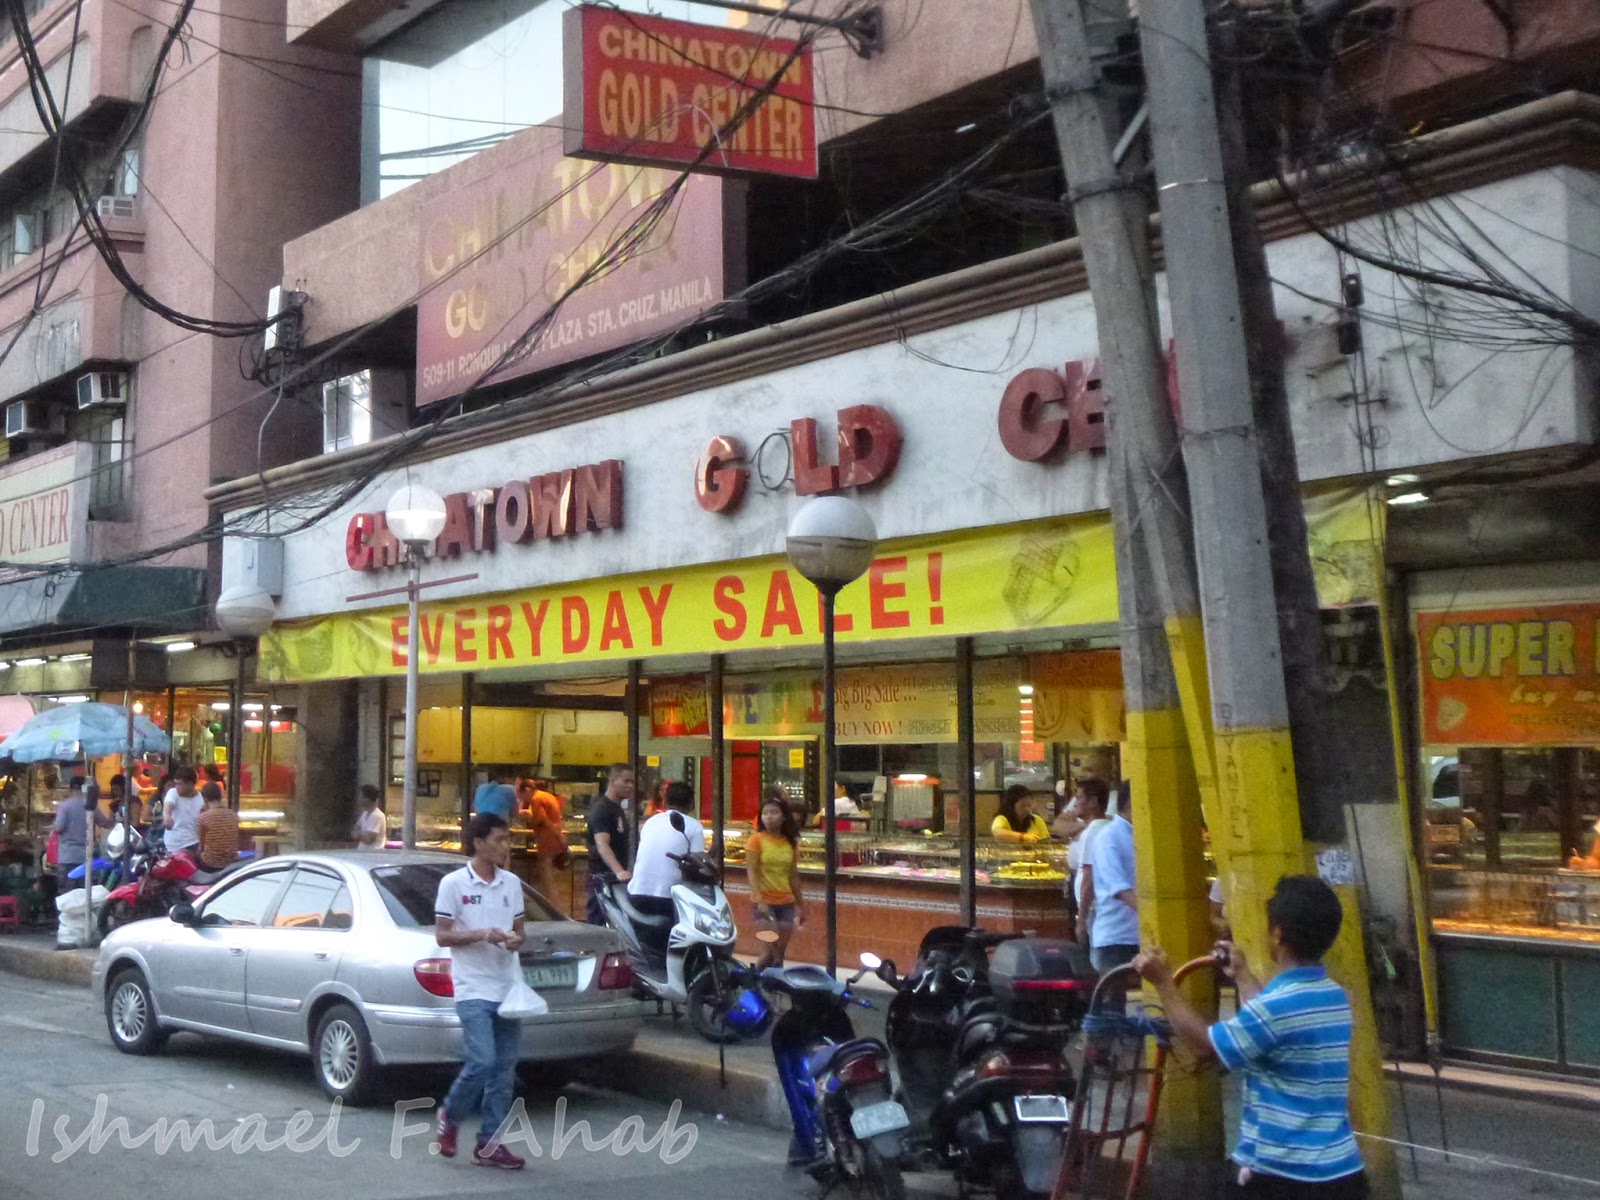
1257, 823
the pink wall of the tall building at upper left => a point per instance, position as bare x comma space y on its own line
241, 156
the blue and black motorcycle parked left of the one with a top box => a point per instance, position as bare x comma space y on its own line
847, 1126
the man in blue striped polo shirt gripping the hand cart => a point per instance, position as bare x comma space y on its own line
1292, 1039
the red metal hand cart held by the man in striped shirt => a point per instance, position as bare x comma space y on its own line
1119, 1095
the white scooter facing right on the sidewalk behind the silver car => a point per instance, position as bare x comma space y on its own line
687, 959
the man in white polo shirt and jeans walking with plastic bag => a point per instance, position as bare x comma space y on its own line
479, 918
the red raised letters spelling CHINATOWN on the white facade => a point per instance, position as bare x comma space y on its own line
558, 505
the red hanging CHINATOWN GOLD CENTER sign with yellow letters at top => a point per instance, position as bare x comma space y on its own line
649, 90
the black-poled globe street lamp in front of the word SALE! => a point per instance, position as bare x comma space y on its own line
831, 543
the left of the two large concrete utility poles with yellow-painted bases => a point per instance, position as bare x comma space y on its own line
1156, 574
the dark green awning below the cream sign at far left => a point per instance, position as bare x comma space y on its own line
146, 601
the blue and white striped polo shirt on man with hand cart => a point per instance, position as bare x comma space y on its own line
1294, 1044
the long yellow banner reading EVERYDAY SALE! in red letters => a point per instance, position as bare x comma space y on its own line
1010, 578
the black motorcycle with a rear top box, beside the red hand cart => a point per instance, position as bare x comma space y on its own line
980, 1031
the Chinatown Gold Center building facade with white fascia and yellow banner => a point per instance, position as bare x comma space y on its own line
612, 582
